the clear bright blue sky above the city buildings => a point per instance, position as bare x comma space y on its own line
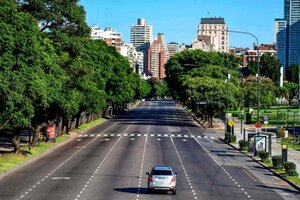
178, 20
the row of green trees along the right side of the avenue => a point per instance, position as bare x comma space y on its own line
195, 76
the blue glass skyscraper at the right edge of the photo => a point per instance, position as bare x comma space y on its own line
287, 34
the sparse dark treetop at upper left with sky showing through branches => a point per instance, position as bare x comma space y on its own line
54, 15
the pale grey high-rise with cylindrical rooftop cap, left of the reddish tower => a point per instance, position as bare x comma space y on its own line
141, 38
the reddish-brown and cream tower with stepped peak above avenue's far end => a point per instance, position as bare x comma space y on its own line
157, 57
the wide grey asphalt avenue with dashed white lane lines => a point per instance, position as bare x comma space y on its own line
110, 161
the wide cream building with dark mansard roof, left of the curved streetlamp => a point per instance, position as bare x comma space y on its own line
212, 35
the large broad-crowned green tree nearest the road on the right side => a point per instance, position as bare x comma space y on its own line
194, 75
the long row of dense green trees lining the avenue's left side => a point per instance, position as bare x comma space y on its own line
51, 72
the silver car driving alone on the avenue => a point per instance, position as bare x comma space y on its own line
162, 178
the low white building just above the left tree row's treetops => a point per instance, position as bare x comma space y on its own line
110, 36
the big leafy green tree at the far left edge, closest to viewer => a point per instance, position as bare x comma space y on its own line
25, 70
